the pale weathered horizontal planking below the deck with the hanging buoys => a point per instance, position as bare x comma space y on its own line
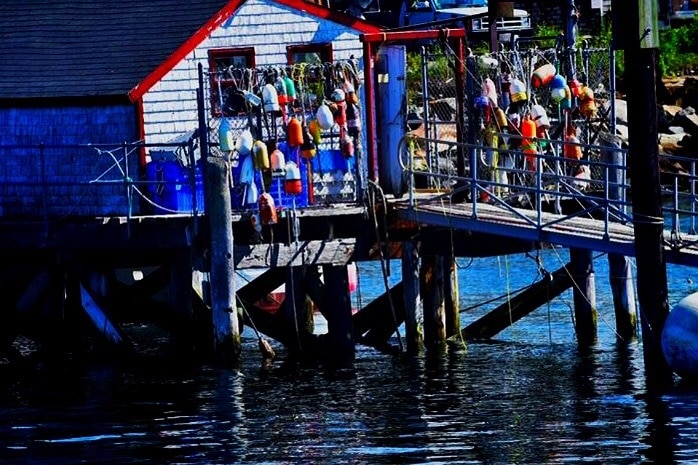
337, 252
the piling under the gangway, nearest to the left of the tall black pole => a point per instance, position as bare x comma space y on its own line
623, 290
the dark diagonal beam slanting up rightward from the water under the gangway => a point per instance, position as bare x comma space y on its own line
520, 305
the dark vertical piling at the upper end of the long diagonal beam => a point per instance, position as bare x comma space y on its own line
584, 293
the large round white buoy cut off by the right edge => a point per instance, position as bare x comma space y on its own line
680, 337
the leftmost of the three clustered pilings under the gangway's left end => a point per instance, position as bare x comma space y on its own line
410, 280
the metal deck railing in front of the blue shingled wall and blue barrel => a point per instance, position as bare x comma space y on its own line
61, 181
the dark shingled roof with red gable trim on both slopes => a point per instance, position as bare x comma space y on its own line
84, 48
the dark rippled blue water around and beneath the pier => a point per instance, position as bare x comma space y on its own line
530, 397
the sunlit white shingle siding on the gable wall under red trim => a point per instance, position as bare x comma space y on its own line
170, 105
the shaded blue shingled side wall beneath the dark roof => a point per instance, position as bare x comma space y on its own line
47, 167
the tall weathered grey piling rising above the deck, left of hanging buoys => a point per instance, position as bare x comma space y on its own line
226, 343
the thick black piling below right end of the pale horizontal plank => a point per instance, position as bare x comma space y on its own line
339, 323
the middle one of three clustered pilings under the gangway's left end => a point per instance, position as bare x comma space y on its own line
432, 289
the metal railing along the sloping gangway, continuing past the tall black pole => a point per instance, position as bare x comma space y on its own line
556, 189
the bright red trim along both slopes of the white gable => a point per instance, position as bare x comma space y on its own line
231, 7
